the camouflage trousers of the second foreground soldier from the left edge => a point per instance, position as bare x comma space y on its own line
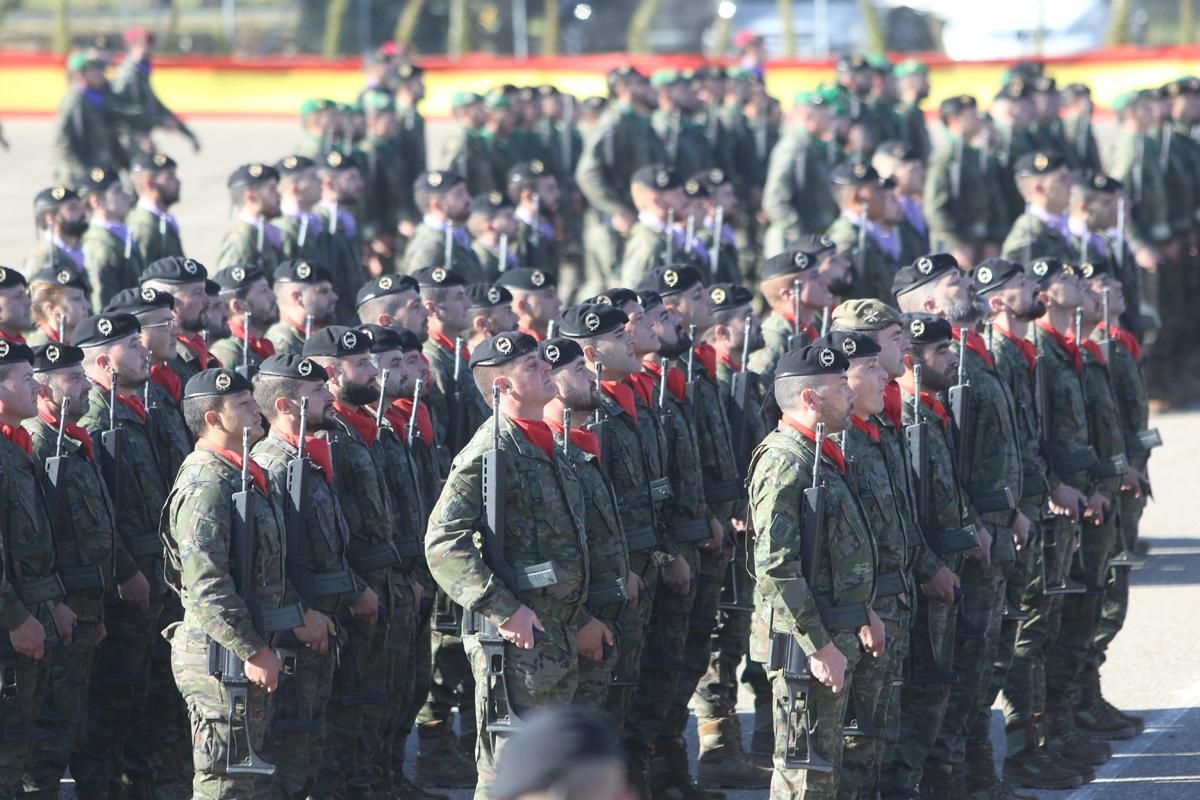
64, 712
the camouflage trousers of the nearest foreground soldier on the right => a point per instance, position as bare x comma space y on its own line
827, 713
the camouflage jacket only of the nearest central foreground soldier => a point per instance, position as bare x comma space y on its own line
544, 508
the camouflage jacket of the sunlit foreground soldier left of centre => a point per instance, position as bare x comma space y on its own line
197, 527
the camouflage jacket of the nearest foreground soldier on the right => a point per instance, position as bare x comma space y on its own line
781, 471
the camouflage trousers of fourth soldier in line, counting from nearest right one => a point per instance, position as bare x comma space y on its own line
975, 651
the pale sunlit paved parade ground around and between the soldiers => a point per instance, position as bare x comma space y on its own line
1155, 666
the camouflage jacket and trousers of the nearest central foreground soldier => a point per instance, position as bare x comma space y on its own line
544, 515
